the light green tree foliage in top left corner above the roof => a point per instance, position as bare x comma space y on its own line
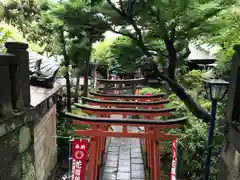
29, 17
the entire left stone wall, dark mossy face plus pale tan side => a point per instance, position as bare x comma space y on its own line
28, 145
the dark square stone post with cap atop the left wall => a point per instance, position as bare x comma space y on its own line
22, 86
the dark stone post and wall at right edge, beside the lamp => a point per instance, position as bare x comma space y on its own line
230, 155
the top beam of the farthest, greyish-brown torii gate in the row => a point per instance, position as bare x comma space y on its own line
124, 81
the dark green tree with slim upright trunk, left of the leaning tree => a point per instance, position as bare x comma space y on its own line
85, 24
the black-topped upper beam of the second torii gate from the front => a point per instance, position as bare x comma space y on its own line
124, 109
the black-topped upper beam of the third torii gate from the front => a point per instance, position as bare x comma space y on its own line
125, 102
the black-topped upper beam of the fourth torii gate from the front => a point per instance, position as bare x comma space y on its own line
127, 96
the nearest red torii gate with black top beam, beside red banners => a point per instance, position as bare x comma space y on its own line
99, 133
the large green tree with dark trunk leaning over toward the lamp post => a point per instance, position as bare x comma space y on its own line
174, 23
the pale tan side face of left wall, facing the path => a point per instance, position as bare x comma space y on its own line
45, 145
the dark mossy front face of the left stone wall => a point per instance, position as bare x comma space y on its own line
16, 149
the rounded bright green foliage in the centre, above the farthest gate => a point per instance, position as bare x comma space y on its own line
121, 55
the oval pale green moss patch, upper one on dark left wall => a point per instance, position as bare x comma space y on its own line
24, 139
